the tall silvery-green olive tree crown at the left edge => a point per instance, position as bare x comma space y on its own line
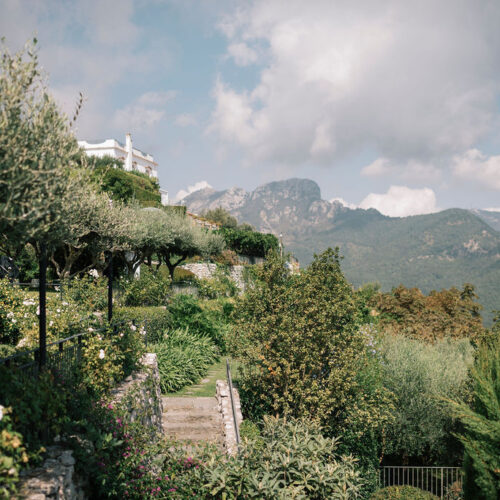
37, 153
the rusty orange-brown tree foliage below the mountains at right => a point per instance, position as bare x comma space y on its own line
449, 313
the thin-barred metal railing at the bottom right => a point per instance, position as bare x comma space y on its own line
436, 480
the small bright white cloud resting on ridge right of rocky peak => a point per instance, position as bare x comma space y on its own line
401, 201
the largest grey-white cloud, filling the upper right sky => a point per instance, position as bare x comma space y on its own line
412, 81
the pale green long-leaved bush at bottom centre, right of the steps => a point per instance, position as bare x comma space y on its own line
295, 461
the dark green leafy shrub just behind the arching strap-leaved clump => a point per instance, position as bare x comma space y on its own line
186, 312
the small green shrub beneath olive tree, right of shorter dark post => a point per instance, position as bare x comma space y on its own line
148, 290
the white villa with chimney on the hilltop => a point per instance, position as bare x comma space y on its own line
133, 159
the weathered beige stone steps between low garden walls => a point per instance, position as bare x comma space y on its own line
194, 419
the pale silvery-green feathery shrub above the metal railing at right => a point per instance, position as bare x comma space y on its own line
420, 375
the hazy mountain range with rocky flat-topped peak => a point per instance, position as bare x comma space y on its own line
431, 251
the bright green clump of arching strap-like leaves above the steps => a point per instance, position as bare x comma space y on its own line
183, 358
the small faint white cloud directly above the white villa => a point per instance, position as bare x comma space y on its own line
145, 112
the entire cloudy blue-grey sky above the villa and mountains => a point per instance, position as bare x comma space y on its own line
392, 105
